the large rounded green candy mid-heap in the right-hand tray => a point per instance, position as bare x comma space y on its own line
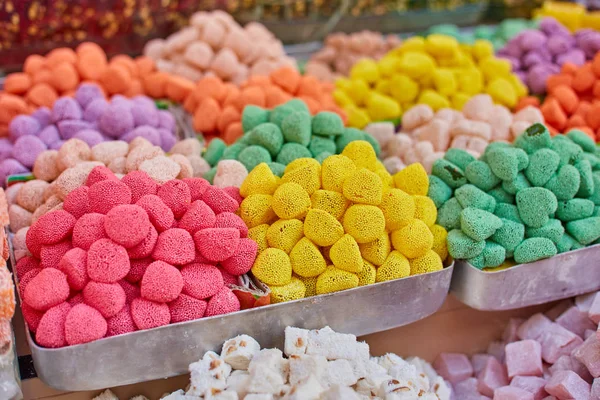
535, 205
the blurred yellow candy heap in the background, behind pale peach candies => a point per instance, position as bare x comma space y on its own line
437, 71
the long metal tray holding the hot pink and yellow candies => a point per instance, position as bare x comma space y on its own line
168, 350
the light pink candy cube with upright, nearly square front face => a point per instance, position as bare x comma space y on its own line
524, 358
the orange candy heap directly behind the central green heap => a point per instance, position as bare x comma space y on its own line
217, 107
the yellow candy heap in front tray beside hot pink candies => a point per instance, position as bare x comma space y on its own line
346, 223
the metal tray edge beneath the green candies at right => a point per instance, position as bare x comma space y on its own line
562, 276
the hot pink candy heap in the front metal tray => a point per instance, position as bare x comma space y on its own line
125, 255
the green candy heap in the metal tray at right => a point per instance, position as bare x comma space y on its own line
529, 201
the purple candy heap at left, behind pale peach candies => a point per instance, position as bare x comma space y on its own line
88, 117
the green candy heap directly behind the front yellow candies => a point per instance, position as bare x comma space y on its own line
281, 135
